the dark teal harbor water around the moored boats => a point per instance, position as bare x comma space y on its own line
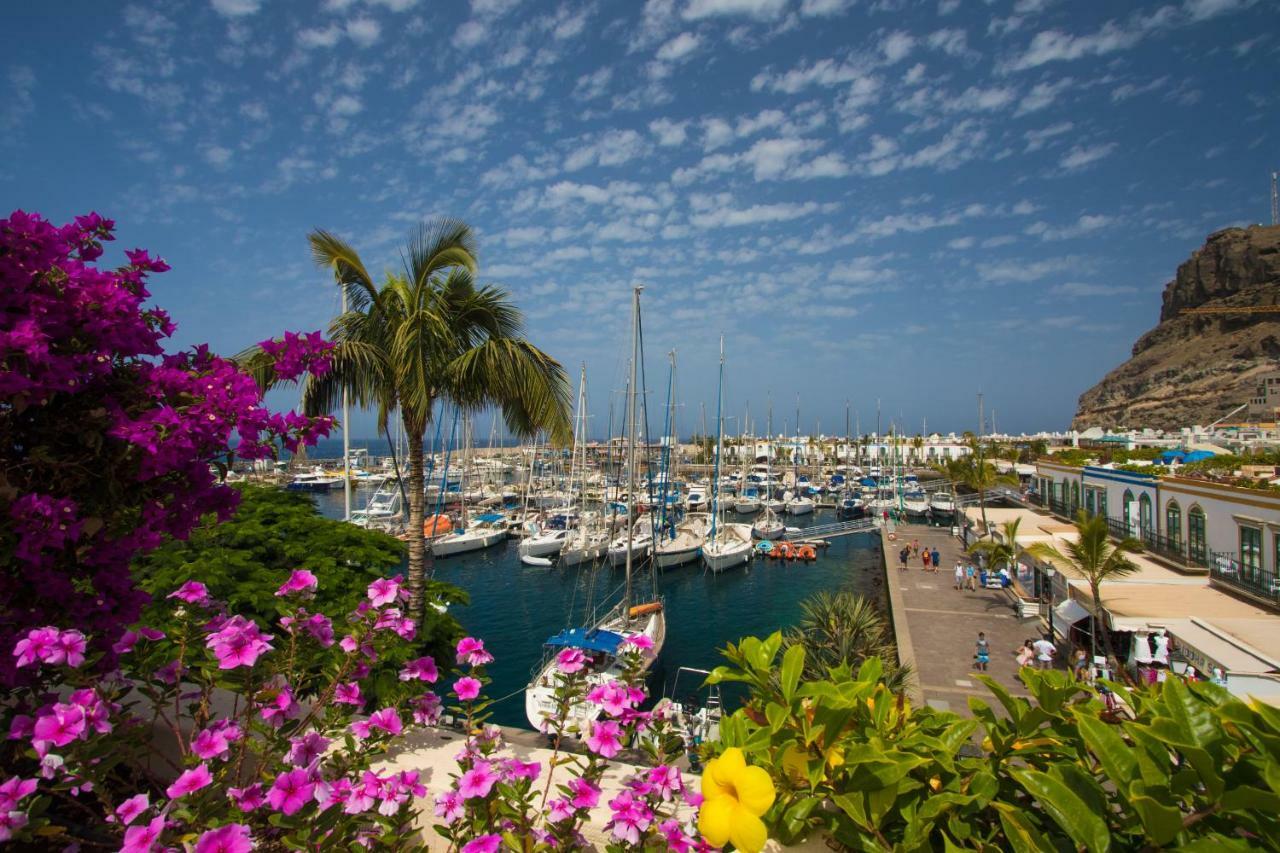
515, 608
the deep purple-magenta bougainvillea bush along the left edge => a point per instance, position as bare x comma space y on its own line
109, 444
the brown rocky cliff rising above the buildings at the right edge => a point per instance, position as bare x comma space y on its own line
1194, 370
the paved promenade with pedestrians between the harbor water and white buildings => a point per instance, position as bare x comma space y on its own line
944, 624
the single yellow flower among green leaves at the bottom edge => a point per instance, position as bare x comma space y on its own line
735, 796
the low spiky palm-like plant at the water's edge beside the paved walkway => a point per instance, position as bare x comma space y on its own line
840, 630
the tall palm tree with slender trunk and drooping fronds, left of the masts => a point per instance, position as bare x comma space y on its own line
431, 335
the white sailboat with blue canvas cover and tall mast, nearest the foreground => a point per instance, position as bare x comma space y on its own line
604, 640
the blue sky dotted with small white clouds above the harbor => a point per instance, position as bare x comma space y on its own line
872, 200
